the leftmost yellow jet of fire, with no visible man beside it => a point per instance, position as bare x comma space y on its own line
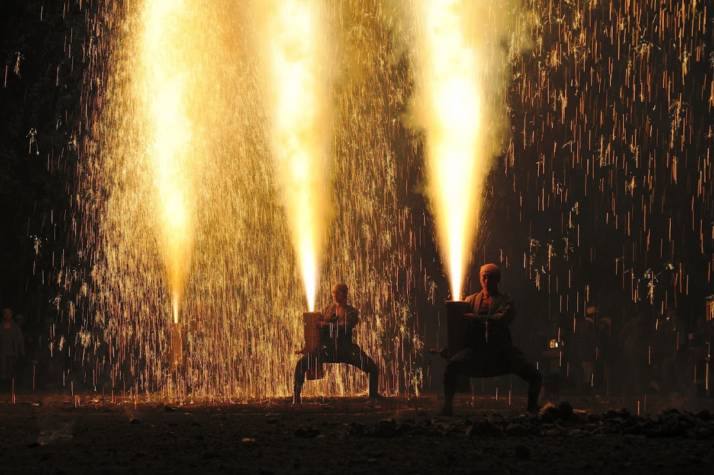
163, 88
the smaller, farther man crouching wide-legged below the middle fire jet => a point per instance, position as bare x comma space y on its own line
336, 345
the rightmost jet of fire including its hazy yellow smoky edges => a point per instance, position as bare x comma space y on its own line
461, 71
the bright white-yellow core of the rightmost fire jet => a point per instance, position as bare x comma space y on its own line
450, 103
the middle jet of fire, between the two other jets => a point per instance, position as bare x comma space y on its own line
293, 32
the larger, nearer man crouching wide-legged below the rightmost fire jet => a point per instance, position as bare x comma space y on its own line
489, 350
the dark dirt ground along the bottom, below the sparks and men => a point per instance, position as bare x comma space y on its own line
55, 435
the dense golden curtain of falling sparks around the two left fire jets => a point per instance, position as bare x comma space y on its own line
242, 296
